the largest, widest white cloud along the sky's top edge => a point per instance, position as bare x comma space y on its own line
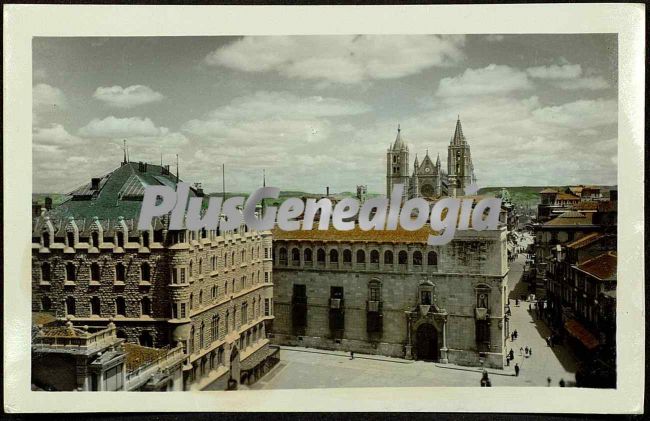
343, 59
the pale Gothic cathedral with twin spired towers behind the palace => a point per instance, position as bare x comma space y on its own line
429, 180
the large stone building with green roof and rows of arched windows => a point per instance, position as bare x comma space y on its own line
209, 291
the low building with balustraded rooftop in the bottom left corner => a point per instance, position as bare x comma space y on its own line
68, 358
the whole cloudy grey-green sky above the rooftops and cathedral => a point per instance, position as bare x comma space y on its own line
317, 111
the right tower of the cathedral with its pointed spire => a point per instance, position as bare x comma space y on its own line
459, 163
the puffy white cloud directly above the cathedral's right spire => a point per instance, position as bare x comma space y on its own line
490, 80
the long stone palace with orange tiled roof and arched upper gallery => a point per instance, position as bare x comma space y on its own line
390, 293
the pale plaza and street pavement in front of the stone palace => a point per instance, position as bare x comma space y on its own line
306, 368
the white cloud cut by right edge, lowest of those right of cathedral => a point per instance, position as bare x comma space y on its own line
582, 114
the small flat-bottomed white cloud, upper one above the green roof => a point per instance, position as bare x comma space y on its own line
112, 127
